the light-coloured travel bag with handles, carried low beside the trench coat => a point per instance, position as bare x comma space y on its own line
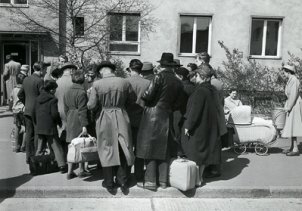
82, 149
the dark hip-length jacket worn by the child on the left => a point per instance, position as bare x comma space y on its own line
46, 116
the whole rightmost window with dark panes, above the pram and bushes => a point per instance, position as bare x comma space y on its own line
265, 38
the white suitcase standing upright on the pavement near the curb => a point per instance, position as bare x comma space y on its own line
183, 174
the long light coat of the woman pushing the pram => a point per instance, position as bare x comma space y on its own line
293, 121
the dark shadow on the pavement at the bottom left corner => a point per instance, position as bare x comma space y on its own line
8, 186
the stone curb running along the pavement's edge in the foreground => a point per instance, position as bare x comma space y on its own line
135, 192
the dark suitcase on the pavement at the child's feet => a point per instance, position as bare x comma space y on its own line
42, 164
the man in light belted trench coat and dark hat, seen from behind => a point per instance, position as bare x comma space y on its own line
113, 129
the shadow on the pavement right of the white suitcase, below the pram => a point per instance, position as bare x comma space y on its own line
231, 166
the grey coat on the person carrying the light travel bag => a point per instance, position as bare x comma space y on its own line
75, 108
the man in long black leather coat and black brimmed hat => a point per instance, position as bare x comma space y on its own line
154, 136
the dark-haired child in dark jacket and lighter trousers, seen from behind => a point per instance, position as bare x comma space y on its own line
47, 118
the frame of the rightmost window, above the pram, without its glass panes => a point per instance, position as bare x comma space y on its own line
264, 35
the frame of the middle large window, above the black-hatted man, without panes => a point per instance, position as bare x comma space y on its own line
195, 16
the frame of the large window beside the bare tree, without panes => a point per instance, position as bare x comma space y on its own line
124, 41
